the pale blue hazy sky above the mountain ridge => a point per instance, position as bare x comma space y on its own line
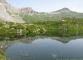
48, 5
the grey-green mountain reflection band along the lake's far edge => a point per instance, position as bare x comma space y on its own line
5, 44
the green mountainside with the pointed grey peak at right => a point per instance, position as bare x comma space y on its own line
50, 16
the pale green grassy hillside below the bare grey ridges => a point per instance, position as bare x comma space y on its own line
50, 17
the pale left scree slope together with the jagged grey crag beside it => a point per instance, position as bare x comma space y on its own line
12, 14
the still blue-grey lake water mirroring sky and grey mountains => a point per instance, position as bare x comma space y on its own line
44, 48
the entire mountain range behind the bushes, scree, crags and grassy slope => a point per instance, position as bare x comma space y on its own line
27, 14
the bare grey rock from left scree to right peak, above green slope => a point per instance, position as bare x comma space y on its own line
12, 14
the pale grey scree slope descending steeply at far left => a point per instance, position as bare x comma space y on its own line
9, 13
